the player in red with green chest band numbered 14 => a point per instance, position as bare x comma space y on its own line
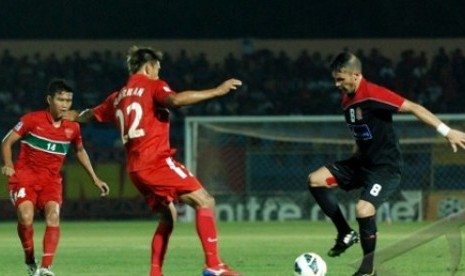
34, 180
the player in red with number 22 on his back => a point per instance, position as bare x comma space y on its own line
140, 110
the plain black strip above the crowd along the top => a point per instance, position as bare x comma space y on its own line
83, 19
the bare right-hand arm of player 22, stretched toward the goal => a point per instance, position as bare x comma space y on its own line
192, 97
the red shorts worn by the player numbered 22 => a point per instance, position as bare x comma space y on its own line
165, 183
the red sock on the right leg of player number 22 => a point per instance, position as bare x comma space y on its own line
206, 229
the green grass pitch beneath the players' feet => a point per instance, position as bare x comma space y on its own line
255, 248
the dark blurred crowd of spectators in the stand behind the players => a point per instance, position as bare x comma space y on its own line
274, 83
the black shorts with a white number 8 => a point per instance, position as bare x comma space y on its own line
377, 183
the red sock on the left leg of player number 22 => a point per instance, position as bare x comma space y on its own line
159, 245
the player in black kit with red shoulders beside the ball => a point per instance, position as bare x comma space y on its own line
376, 164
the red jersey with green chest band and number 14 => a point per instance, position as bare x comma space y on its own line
43, 146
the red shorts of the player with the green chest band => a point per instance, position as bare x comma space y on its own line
37, 189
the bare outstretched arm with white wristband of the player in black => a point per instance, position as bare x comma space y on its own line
455, 137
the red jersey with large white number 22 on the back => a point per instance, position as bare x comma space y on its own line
142, 119
